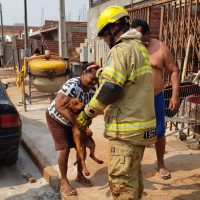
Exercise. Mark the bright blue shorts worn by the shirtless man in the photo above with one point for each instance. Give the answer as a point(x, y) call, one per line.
point(159, 104)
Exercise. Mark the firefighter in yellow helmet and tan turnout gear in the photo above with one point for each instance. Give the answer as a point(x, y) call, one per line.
point(126, 86)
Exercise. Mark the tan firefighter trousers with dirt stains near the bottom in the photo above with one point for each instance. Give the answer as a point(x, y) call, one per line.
point(124, 170)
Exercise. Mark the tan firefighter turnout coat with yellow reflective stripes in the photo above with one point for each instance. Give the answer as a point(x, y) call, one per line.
point(131, 117)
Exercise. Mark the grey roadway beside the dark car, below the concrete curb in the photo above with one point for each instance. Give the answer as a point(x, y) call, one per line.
point(13, 186)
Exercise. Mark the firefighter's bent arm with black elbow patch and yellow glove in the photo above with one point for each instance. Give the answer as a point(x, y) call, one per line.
point(113, 77)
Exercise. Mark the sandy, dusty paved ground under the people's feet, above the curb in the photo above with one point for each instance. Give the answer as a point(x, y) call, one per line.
point(182, 162)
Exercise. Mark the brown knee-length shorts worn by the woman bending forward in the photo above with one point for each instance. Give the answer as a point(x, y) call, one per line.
point(61, 133)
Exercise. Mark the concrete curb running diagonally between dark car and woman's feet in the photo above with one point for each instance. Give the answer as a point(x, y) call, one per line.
point(41, 162)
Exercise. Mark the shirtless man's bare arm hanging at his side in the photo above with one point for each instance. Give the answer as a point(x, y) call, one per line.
point(172, 69)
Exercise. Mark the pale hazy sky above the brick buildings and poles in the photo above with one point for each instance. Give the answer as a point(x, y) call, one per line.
point(39, 10)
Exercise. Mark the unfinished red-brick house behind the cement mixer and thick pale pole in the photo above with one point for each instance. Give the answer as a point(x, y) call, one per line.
point(47, 36)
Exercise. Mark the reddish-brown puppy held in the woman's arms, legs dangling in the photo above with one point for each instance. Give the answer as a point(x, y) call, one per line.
point(82, 138)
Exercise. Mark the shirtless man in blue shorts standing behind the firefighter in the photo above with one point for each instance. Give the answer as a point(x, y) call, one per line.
point(160, 58)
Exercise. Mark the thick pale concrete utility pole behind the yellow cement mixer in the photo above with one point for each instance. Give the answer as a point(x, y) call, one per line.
point(62, 30)
